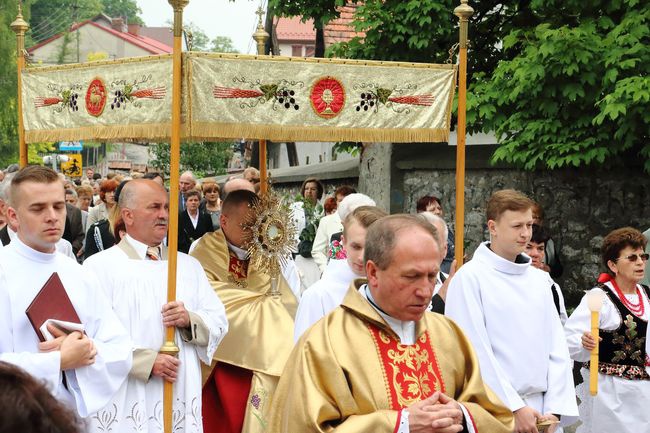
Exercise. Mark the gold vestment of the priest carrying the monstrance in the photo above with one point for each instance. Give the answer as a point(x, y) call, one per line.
point(260, 335)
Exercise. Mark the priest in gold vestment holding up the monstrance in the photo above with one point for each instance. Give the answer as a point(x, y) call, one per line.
point(250, 359)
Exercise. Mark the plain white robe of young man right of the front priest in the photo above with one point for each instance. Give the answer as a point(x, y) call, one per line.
point(507, 311)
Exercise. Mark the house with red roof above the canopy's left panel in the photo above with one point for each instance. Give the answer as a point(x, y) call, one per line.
point(108, 37)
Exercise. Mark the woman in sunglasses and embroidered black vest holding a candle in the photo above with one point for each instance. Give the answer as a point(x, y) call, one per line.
point(621, 404)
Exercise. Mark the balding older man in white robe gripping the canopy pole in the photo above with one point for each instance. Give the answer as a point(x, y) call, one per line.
point(133, 274)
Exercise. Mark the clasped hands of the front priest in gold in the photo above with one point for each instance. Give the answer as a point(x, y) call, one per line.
point(437, 414)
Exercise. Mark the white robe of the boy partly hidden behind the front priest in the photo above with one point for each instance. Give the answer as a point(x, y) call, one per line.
point(323, 296)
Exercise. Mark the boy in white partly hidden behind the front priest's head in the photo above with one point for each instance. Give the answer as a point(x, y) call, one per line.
point(328, 292)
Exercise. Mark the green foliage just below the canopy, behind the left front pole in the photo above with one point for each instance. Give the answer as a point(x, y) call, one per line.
point(204, 158)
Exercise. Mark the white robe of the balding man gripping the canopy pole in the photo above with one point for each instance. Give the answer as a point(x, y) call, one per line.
point(137, 290)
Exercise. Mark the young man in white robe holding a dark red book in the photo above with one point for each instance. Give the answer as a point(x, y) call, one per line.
point(84, 370)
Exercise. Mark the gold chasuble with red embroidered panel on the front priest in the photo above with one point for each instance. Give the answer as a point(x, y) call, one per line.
point(349, 373)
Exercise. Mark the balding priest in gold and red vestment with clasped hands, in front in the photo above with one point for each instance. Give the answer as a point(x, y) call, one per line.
point(380, 362)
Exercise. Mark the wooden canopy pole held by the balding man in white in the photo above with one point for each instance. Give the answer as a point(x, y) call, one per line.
point(170, 347)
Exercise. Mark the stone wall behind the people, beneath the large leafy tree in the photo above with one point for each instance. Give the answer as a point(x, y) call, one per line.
point(581, 207)
